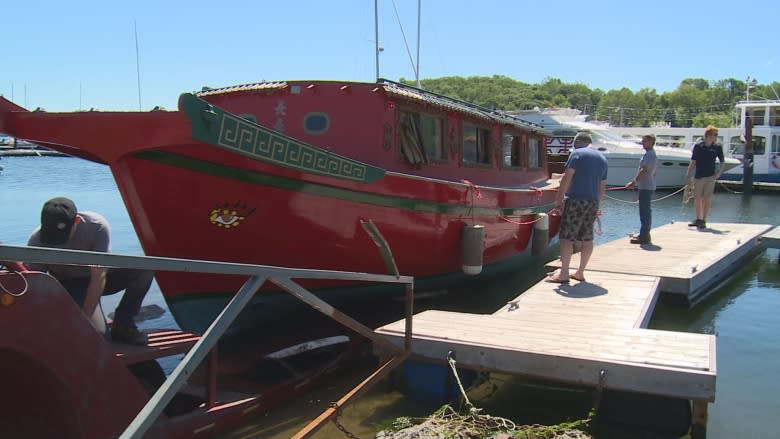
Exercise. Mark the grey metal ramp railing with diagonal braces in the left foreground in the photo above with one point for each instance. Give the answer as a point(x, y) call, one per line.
point(258, 275)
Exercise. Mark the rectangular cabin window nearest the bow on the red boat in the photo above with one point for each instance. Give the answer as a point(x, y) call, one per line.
point(421, 138)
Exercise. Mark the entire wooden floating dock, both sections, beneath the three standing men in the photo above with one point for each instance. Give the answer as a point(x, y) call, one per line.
point(595, 332)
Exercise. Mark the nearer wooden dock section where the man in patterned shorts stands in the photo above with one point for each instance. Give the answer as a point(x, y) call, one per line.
point(589, 333)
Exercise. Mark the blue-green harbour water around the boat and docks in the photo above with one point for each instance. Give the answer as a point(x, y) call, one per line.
point(743, 313)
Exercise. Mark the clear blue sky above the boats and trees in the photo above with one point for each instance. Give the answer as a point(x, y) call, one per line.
point(131, 55)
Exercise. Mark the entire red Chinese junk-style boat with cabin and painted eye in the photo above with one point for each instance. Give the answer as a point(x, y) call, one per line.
point(289, 173)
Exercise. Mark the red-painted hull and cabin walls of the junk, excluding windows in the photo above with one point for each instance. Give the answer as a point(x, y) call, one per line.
point(194, 199)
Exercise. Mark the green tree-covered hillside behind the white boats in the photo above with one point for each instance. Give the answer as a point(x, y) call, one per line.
point(696, 102)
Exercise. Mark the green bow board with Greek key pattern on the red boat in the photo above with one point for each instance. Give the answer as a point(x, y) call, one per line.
point(215, 126)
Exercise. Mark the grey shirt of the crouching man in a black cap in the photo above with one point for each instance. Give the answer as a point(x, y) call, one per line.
point(91, 234)
